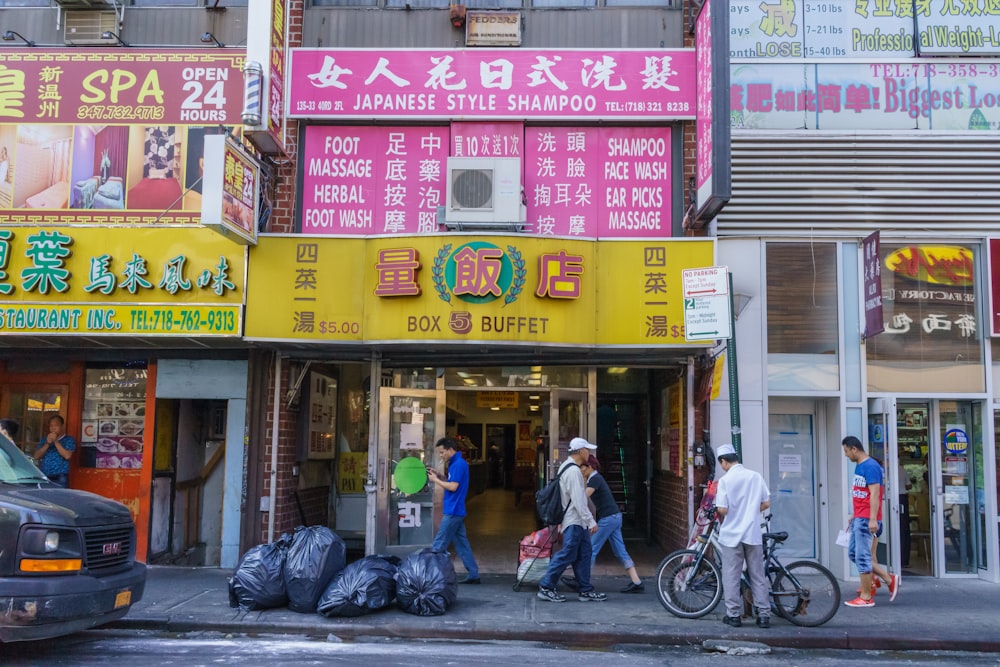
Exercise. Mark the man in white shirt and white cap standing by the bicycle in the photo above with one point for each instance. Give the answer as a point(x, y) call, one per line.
point(740, 498)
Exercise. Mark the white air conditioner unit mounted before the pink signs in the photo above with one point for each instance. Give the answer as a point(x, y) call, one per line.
point(484, 190)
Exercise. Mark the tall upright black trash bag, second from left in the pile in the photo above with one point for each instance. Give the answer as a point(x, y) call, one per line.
point(315, 557)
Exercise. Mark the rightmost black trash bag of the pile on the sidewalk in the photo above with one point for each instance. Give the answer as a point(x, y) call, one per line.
point(425, 583)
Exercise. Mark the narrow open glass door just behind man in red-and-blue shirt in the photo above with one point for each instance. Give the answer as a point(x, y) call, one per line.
point(885, 441)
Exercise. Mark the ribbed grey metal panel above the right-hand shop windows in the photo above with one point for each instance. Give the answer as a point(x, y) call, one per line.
point(837, 184)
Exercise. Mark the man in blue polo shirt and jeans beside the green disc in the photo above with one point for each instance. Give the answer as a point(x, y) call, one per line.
point(456, 487)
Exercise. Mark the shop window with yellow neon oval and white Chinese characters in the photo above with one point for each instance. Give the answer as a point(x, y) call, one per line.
point(933, 333)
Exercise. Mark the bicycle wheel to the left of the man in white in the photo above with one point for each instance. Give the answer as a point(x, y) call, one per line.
point(686, 586)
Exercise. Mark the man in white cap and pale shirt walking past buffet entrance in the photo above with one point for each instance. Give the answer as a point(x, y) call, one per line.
point(576, 527)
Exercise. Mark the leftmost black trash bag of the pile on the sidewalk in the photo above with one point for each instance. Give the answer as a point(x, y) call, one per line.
point(258, 580)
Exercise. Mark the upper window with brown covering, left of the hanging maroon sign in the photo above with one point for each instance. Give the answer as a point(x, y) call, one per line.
point(802, 324)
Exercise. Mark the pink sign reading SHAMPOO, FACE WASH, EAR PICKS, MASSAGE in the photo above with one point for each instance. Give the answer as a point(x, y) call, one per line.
point(598, 182)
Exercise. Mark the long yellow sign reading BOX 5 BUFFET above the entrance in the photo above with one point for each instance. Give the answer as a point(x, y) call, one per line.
point(470, 289)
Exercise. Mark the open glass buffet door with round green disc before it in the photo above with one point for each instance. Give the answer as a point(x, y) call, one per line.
point(410, 422)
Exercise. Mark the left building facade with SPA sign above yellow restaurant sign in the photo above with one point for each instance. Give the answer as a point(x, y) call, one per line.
point(120, 312)
